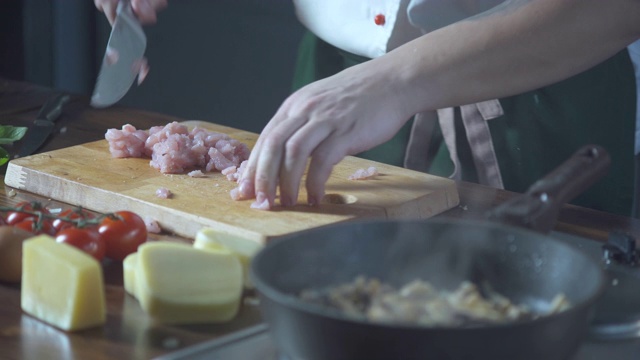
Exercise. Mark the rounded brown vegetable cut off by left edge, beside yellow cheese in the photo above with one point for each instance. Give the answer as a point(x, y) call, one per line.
point(11, 239)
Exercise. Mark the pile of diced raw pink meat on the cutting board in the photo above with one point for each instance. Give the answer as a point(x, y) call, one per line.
point(175, 149)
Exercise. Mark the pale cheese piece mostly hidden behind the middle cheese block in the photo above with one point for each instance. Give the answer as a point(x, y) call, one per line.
point(245, 249)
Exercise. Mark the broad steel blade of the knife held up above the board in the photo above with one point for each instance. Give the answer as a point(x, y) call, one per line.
point(122, 59)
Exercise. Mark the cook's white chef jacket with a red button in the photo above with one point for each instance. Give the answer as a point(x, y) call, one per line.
point(351, 25)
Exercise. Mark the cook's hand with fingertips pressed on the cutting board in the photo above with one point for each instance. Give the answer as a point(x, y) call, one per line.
point(345, 114)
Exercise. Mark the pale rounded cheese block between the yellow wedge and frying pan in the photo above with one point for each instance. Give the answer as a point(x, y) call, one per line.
point(178, 284)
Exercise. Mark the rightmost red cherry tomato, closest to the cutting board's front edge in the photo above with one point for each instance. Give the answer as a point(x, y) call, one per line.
point(122, 234)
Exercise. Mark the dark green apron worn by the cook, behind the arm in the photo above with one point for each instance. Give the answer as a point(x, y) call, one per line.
point(538, 131)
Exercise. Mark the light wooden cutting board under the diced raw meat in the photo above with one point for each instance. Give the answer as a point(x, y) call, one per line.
point(86, 175)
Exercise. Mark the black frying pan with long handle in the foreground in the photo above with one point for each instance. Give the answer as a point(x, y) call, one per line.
point(528, 267)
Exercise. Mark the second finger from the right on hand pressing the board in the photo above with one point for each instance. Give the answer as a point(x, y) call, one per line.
point(298, 149)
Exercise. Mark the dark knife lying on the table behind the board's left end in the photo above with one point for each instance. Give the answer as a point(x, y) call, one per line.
point(43, 125)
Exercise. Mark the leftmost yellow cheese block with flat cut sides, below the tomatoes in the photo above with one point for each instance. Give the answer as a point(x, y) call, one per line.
point(61, 285)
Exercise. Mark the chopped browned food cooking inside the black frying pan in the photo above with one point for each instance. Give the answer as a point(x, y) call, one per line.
point(420, 303)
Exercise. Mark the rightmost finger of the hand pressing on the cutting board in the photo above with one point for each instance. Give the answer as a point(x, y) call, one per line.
point(323, 158)
